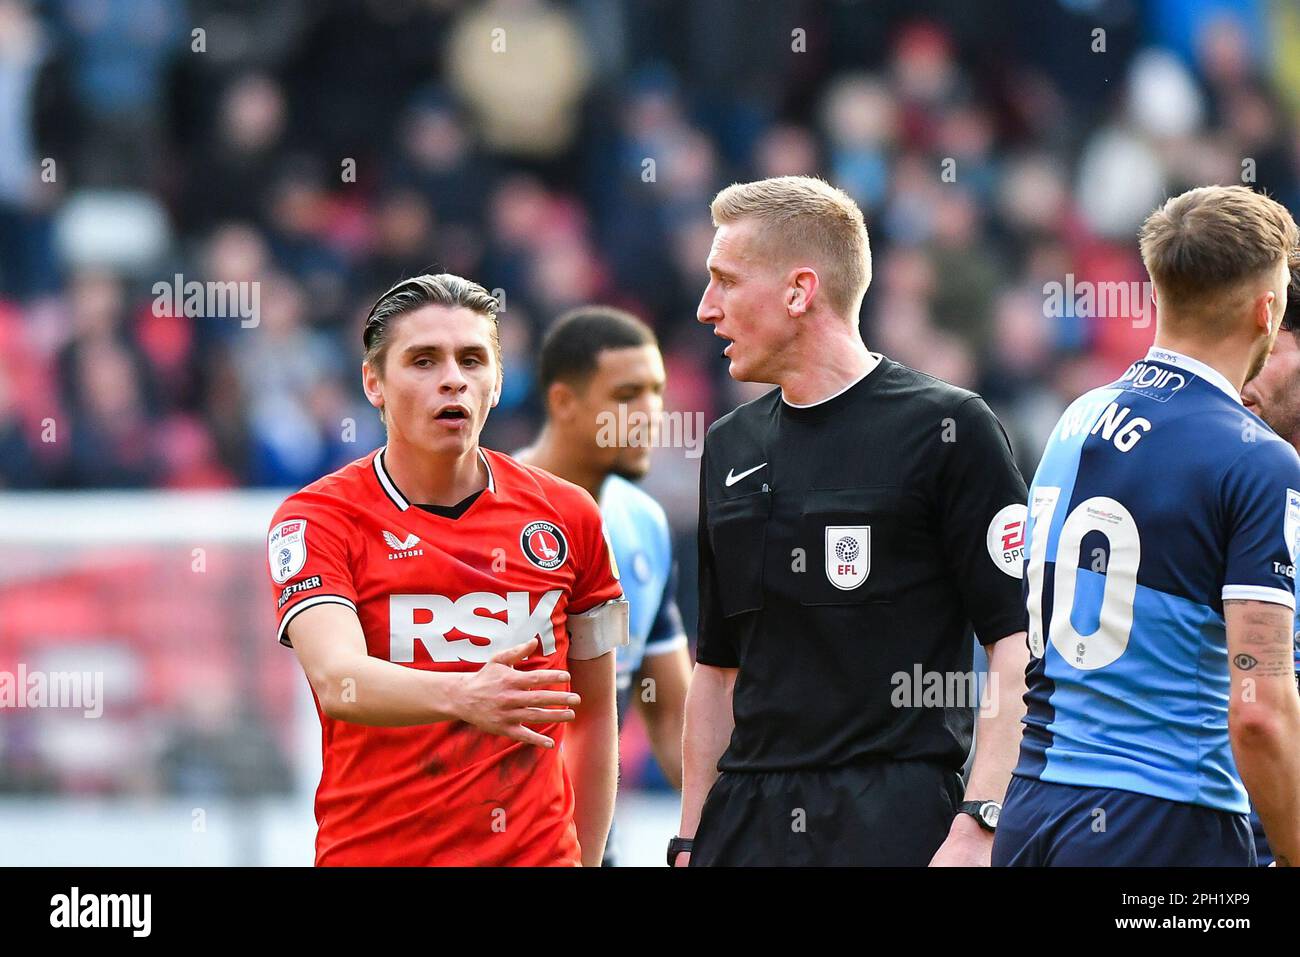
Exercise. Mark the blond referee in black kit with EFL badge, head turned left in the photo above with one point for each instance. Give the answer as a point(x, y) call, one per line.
point(855, 525)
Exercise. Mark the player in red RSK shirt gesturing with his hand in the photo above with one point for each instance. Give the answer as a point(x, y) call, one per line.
point(456, 613)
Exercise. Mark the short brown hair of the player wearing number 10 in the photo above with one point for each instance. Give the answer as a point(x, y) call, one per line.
point(1204, 246)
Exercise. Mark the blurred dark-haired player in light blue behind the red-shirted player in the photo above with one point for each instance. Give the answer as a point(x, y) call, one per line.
point(603, 379)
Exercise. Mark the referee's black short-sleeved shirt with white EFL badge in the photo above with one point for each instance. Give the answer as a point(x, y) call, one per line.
point(924, 465)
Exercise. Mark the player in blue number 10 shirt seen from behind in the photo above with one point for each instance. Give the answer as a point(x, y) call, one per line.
point(1163, 538)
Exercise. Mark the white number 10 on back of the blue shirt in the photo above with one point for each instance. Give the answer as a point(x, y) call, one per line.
point(1120, 582)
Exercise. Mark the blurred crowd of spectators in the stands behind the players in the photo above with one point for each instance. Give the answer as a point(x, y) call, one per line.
point(564, 154)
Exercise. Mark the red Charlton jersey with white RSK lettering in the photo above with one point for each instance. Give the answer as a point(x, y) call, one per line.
point(444, 595)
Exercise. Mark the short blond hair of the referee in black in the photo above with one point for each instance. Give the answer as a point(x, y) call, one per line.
point(805, 216)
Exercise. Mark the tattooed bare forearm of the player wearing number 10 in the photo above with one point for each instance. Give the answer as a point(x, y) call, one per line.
point(1264, 718)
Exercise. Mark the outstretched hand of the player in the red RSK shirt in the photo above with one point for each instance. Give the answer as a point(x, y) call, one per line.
point(501, 700)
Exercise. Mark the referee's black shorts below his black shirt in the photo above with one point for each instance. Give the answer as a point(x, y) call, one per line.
point(874, 813)
